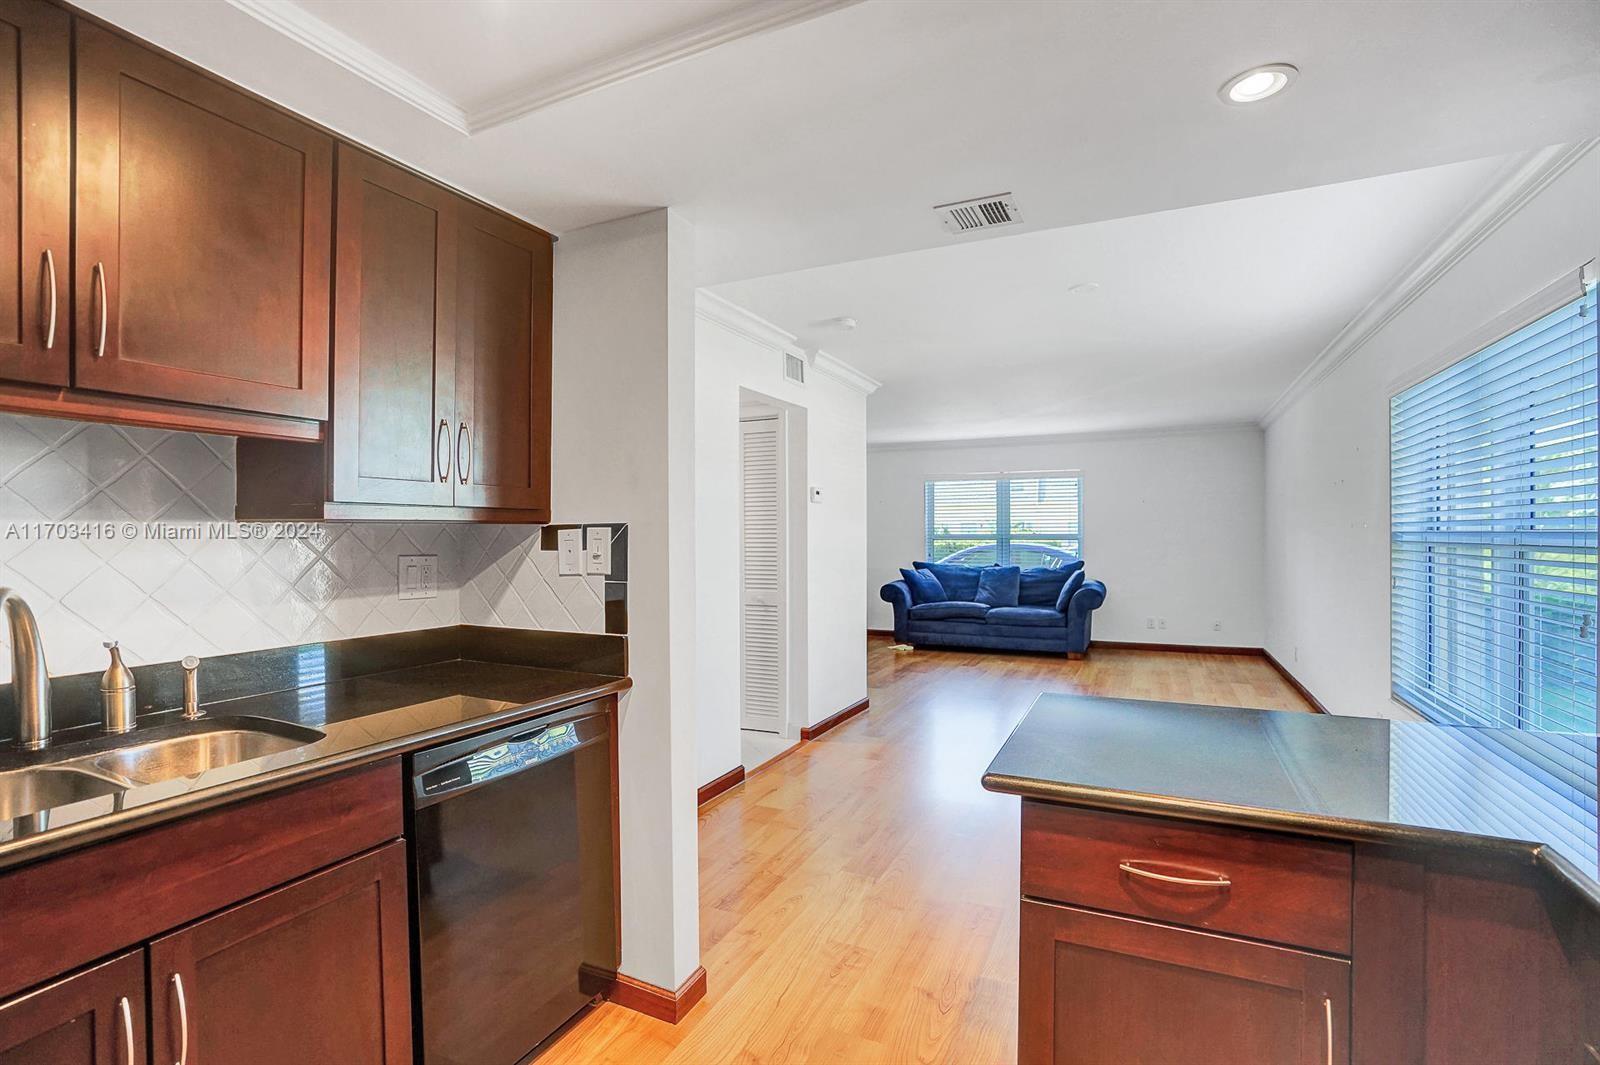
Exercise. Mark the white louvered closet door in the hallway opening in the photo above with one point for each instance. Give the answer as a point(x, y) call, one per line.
point(762, 568)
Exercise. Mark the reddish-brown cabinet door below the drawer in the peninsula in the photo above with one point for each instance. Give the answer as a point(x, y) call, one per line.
point(1106, 989)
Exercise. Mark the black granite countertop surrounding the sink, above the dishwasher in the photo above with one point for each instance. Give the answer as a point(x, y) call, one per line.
point(361, 719)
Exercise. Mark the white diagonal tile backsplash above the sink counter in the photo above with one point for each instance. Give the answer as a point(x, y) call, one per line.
point(220, 591)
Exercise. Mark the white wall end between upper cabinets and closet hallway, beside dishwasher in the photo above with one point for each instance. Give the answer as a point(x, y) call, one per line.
point(623, 452)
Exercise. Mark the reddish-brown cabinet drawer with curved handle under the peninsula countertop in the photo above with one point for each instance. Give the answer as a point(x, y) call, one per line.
point(1230, 880)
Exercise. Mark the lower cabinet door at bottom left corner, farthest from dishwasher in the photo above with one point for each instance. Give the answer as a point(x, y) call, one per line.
point(95, 1018)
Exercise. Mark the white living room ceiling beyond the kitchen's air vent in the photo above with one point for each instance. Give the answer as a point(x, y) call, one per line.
point(1202, 316)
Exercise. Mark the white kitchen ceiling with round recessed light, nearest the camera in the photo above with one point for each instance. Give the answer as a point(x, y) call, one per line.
point(820, 132)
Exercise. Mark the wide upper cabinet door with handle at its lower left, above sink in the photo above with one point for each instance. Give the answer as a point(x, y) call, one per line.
point(204, 223)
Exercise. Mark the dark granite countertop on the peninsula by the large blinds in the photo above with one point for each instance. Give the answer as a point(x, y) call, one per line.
point(1527, 794)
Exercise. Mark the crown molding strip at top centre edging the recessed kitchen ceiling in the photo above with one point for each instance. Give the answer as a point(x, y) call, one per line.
point(751, 22)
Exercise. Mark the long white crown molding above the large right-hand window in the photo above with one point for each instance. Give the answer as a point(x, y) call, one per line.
point(1521, 185)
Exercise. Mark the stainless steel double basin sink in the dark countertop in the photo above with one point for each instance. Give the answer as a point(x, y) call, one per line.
point(111, 765)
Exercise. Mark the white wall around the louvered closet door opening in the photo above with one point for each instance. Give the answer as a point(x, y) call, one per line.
point(735, 354)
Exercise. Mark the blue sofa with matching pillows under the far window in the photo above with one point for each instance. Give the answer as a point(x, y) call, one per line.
point(1049, 610)
